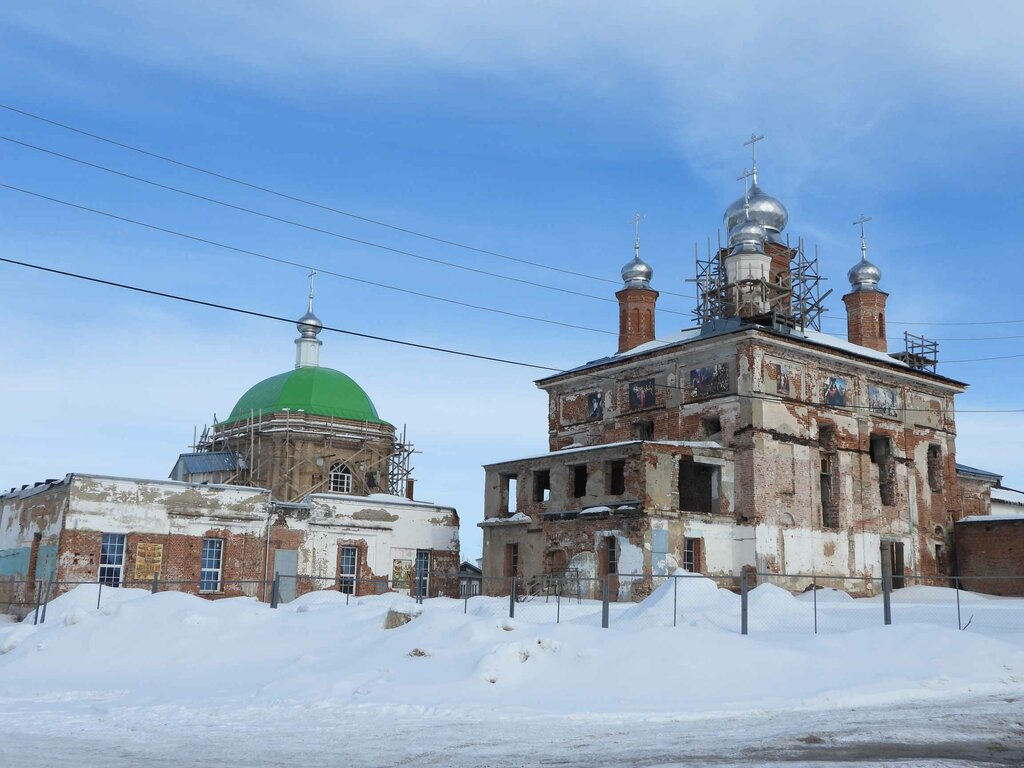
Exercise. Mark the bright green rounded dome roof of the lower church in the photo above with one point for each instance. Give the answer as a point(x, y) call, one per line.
point(322, 392)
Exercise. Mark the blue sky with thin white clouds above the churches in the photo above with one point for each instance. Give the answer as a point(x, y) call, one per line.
point(536, 133)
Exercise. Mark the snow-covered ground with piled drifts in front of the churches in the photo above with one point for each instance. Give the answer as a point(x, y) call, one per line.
point(175, 678)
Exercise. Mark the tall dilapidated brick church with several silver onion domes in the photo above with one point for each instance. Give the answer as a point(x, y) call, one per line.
point(752, 443)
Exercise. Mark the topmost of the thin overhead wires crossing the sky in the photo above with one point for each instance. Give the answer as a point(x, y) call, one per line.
point(305, 201)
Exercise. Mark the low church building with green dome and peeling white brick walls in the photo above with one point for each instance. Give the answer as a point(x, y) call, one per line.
point(303, 480)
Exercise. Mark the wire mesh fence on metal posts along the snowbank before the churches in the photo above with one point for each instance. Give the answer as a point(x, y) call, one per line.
point(750, 605)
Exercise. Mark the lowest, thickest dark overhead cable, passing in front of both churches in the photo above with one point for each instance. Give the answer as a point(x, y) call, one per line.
point(447, 351)
